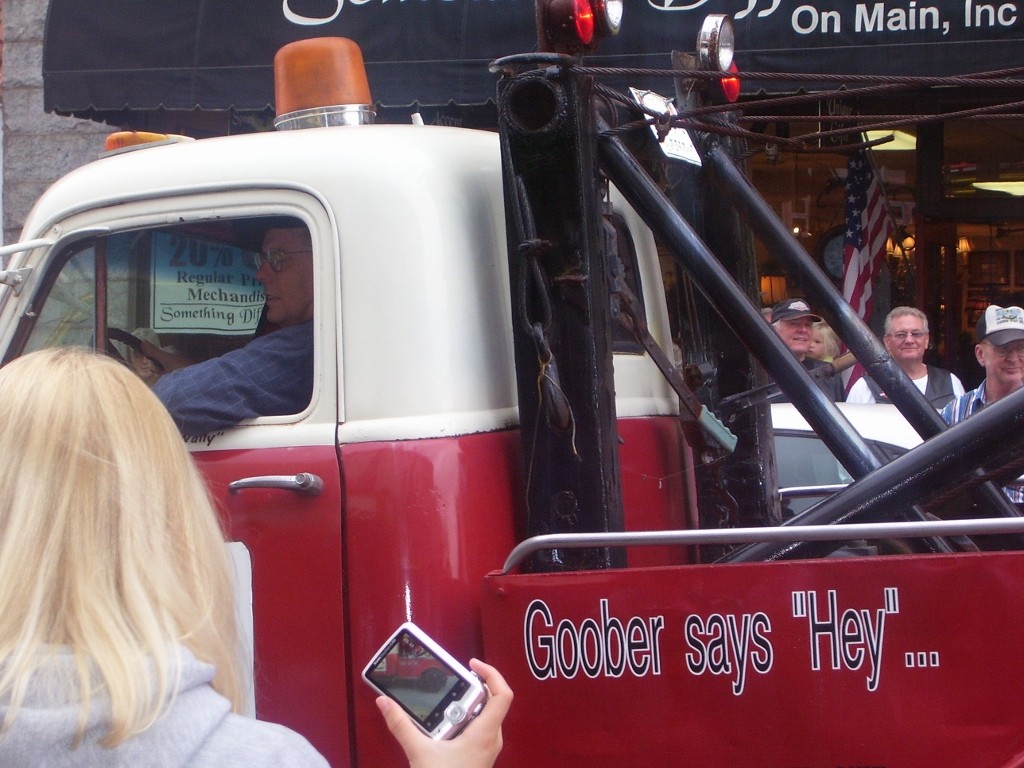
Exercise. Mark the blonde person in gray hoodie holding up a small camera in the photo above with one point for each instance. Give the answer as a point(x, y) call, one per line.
point(118, 644)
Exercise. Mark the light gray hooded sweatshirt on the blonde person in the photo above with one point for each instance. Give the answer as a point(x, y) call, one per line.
point(199, 731)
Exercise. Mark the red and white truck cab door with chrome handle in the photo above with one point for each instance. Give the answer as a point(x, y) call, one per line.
point(190, 287)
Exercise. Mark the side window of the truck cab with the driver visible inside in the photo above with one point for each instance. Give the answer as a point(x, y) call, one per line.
point(195, 295)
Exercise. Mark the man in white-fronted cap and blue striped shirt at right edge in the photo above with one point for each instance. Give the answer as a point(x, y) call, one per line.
point(1001, 352)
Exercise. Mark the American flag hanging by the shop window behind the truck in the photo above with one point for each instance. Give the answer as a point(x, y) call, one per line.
point(868, 228)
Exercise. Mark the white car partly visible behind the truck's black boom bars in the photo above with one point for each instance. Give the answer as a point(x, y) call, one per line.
point(808, 472)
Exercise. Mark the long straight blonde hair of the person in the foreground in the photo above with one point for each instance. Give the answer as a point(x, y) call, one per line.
point(110, 546)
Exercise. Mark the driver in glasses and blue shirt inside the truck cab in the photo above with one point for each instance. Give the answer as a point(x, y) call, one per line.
point(273, 374)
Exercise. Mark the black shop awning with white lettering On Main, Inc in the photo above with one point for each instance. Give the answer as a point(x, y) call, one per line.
point(112, 60)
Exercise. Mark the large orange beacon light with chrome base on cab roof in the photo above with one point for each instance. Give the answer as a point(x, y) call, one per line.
point(321, 82)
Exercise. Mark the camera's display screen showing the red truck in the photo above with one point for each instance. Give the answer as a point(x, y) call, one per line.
point(418, 680)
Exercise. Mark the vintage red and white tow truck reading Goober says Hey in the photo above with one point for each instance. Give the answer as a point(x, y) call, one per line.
point(500, 447)
